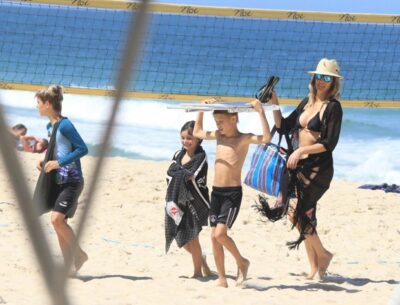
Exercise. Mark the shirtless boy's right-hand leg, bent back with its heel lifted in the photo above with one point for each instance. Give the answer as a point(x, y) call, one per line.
point(221, 235)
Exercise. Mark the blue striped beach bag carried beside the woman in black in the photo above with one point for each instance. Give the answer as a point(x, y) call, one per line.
point(268, 168)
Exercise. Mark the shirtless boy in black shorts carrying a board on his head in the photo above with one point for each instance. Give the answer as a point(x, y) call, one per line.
point(226, 196)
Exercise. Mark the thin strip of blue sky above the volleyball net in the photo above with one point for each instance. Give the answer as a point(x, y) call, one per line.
point(354, 6)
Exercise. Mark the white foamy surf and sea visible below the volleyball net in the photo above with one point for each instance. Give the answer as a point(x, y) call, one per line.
point(368, 150)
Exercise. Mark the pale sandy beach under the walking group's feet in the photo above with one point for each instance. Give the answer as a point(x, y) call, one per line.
point(127, 264)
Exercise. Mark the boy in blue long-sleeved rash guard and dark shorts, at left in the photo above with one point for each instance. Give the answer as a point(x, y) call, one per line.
point(69, 148)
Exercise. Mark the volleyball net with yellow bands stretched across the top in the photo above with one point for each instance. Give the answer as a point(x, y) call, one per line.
point(192, 52)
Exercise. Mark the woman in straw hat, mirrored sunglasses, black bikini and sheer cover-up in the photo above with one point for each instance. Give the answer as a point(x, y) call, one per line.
point(314, 128)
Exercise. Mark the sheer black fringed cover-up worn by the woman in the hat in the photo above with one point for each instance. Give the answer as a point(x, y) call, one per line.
point(311, 179)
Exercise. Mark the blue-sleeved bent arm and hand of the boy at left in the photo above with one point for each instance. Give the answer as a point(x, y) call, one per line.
point(79, 148)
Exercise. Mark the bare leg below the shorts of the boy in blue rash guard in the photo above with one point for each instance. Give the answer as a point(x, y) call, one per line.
point(66, 238)
